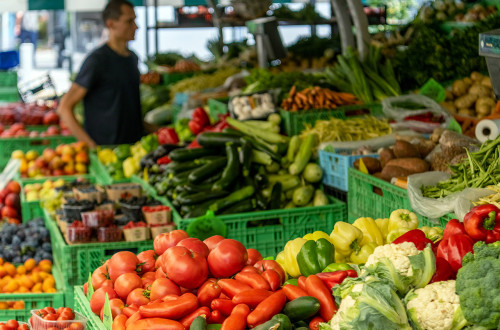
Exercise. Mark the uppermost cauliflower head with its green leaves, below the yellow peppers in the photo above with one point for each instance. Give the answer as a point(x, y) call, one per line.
point(403, 265)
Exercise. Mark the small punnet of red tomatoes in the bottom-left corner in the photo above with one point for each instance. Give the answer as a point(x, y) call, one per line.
point(55, 319)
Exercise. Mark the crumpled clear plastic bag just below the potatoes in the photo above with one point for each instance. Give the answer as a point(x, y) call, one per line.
point(398, 109)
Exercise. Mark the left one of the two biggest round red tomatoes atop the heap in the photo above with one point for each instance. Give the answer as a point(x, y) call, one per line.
point(187, 269)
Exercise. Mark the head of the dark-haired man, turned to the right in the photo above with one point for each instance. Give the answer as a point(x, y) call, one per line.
point(119, 18)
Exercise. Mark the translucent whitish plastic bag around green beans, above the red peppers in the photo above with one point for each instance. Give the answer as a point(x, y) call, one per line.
point(459, 203)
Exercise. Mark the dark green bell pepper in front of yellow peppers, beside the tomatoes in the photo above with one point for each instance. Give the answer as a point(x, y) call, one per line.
point(314, 256)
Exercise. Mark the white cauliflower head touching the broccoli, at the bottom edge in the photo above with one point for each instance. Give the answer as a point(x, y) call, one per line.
point(435, 307)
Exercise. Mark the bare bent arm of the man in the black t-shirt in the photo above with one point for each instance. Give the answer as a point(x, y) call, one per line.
point(66, 111)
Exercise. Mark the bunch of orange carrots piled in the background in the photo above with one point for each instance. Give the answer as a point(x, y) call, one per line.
point(316, 98)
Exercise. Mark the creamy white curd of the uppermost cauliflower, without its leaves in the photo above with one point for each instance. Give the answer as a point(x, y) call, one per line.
point(398, 254)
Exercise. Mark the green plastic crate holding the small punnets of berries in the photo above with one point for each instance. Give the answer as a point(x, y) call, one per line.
point(77, 261)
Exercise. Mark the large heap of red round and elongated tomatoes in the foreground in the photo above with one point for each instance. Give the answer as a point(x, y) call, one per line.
point(217, 279)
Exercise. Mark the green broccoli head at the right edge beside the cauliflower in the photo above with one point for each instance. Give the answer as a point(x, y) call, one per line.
point(478, 285)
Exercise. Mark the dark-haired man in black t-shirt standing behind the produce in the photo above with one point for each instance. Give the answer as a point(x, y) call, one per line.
point(108, 84)
